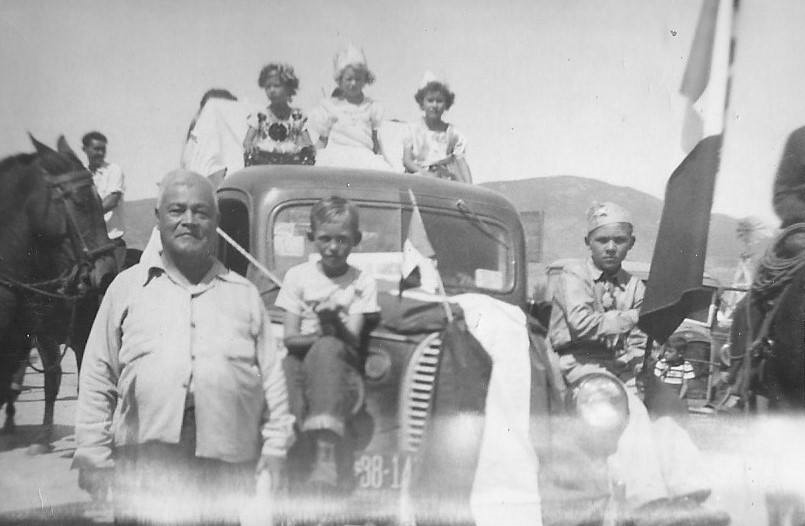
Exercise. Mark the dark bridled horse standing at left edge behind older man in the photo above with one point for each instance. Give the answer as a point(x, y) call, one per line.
point(55, 257)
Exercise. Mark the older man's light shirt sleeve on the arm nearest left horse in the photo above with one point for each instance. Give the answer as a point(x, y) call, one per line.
point(97, 397)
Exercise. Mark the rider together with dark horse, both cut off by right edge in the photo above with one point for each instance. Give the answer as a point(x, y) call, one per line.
point(767, 356)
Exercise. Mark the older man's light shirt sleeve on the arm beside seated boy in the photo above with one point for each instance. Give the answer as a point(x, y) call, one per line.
point(277, 428)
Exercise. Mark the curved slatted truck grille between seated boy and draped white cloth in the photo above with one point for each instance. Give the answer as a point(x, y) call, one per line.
point(416, 393)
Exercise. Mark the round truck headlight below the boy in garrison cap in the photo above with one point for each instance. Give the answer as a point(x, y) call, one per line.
point(601, 403)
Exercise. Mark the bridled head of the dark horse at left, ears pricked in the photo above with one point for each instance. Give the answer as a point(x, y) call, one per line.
point(67, 214)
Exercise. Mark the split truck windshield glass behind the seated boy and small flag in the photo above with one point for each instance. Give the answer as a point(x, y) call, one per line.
point(470, 254)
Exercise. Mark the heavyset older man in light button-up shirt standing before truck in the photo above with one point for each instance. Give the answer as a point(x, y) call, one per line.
point(181, 390)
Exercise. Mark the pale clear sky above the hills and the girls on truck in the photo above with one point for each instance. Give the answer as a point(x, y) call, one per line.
point(543, 87)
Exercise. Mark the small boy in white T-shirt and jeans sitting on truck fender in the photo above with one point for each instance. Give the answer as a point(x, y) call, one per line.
point(325, 302)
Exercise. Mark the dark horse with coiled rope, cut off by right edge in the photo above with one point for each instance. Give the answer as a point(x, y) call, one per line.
point(767, 353)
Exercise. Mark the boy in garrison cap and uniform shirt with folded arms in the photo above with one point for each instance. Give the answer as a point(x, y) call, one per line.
point(596, 303)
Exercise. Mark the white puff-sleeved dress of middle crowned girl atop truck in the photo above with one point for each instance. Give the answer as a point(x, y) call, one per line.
point(348, 128)
